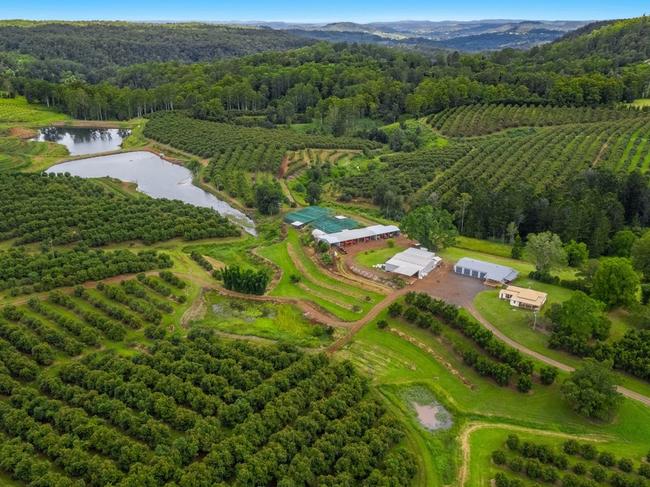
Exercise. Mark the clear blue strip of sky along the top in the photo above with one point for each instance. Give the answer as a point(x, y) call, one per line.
point(321, 11)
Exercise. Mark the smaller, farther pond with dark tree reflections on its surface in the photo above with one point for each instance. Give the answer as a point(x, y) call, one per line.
point(83, 140)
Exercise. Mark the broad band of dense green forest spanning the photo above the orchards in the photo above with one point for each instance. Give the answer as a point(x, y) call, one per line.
point(347, 82)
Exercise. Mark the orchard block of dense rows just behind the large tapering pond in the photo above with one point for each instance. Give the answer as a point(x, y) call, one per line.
point(238, 147)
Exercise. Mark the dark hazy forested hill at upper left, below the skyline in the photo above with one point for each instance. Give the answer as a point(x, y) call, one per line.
point(94, 49)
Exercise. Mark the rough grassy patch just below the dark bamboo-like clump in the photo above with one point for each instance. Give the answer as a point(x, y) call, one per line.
point(267, 320)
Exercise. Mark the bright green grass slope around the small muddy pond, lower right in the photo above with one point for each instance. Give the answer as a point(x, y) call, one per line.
point(392, 362)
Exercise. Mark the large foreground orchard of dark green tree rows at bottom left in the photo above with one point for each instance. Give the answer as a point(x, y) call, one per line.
point(195, 411)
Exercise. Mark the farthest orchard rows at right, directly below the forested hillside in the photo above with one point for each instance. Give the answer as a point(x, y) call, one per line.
point(473, 120)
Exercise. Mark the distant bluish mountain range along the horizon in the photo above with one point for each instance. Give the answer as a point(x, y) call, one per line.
point(476, 35)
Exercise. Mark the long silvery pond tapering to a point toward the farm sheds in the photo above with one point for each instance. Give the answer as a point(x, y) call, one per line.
point(155, 177)
